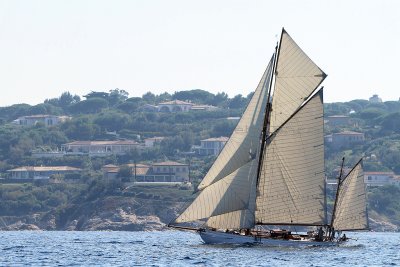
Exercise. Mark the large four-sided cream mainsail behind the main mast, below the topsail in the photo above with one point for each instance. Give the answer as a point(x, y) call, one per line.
point(291, 183)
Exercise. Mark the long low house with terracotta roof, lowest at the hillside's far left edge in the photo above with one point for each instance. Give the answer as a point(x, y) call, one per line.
point(41, 172)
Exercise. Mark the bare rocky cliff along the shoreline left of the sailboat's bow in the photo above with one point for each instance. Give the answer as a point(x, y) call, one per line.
point(109, 213)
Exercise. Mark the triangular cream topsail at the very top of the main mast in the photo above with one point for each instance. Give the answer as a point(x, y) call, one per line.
point(296, 77)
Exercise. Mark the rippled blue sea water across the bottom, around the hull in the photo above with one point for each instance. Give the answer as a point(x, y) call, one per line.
point(177, 248)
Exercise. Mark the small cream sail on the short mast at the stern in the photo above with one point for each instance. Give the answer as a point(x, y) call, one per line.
point(351, 213)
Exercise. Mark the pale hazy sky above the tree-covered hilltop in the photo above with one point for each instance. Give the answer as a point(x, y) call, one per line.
point(49, 47)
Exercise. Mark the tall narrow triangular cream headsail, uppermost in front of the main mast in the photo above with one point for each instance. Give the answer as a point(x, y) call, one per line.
point(245, 139)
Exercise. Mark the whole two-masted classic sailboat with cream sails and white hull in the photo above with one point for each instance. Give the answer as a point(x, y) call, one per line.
point(271, 173)
